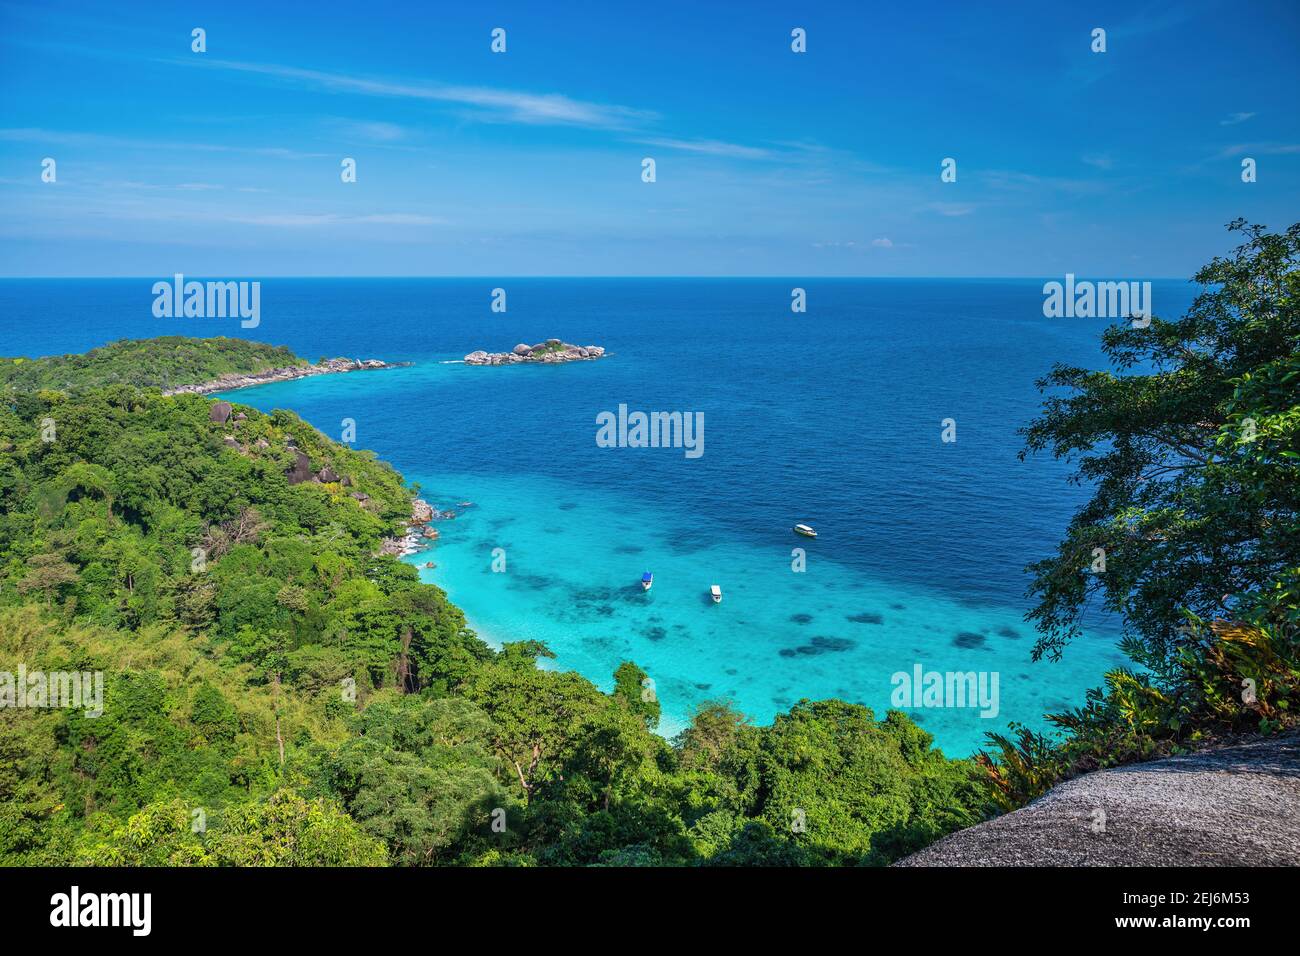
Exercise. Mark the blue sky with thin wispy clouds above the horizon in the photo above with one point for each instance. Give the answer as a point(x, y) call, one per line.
point(769, 163)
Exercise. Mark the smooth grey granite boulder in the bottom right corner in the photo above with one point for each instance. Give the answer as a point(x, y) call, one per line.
point(1227, 807)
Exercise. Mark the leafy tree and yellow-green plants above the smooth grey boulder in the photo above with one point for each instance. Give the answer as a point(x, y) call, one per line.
point(1193, 445)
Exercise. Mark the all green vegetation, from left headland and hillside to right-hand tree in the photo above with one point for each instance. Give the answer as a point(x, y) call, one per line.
point(279, 693)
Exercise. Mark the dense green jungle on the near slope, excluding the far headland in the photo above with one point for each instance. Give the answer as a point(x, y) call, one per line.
point(278, 693)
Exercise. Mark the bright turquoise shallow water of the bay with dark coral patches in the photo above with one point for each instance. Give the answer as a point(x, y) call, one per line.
point(574, 560)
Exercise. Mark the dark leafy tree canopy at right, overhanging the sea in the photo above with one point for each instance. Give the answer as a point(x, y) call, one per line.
point(1191, 445)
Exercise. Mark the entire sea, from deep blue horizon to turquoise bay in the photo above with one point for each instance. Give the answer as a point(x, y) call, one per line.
point(831, 418)
